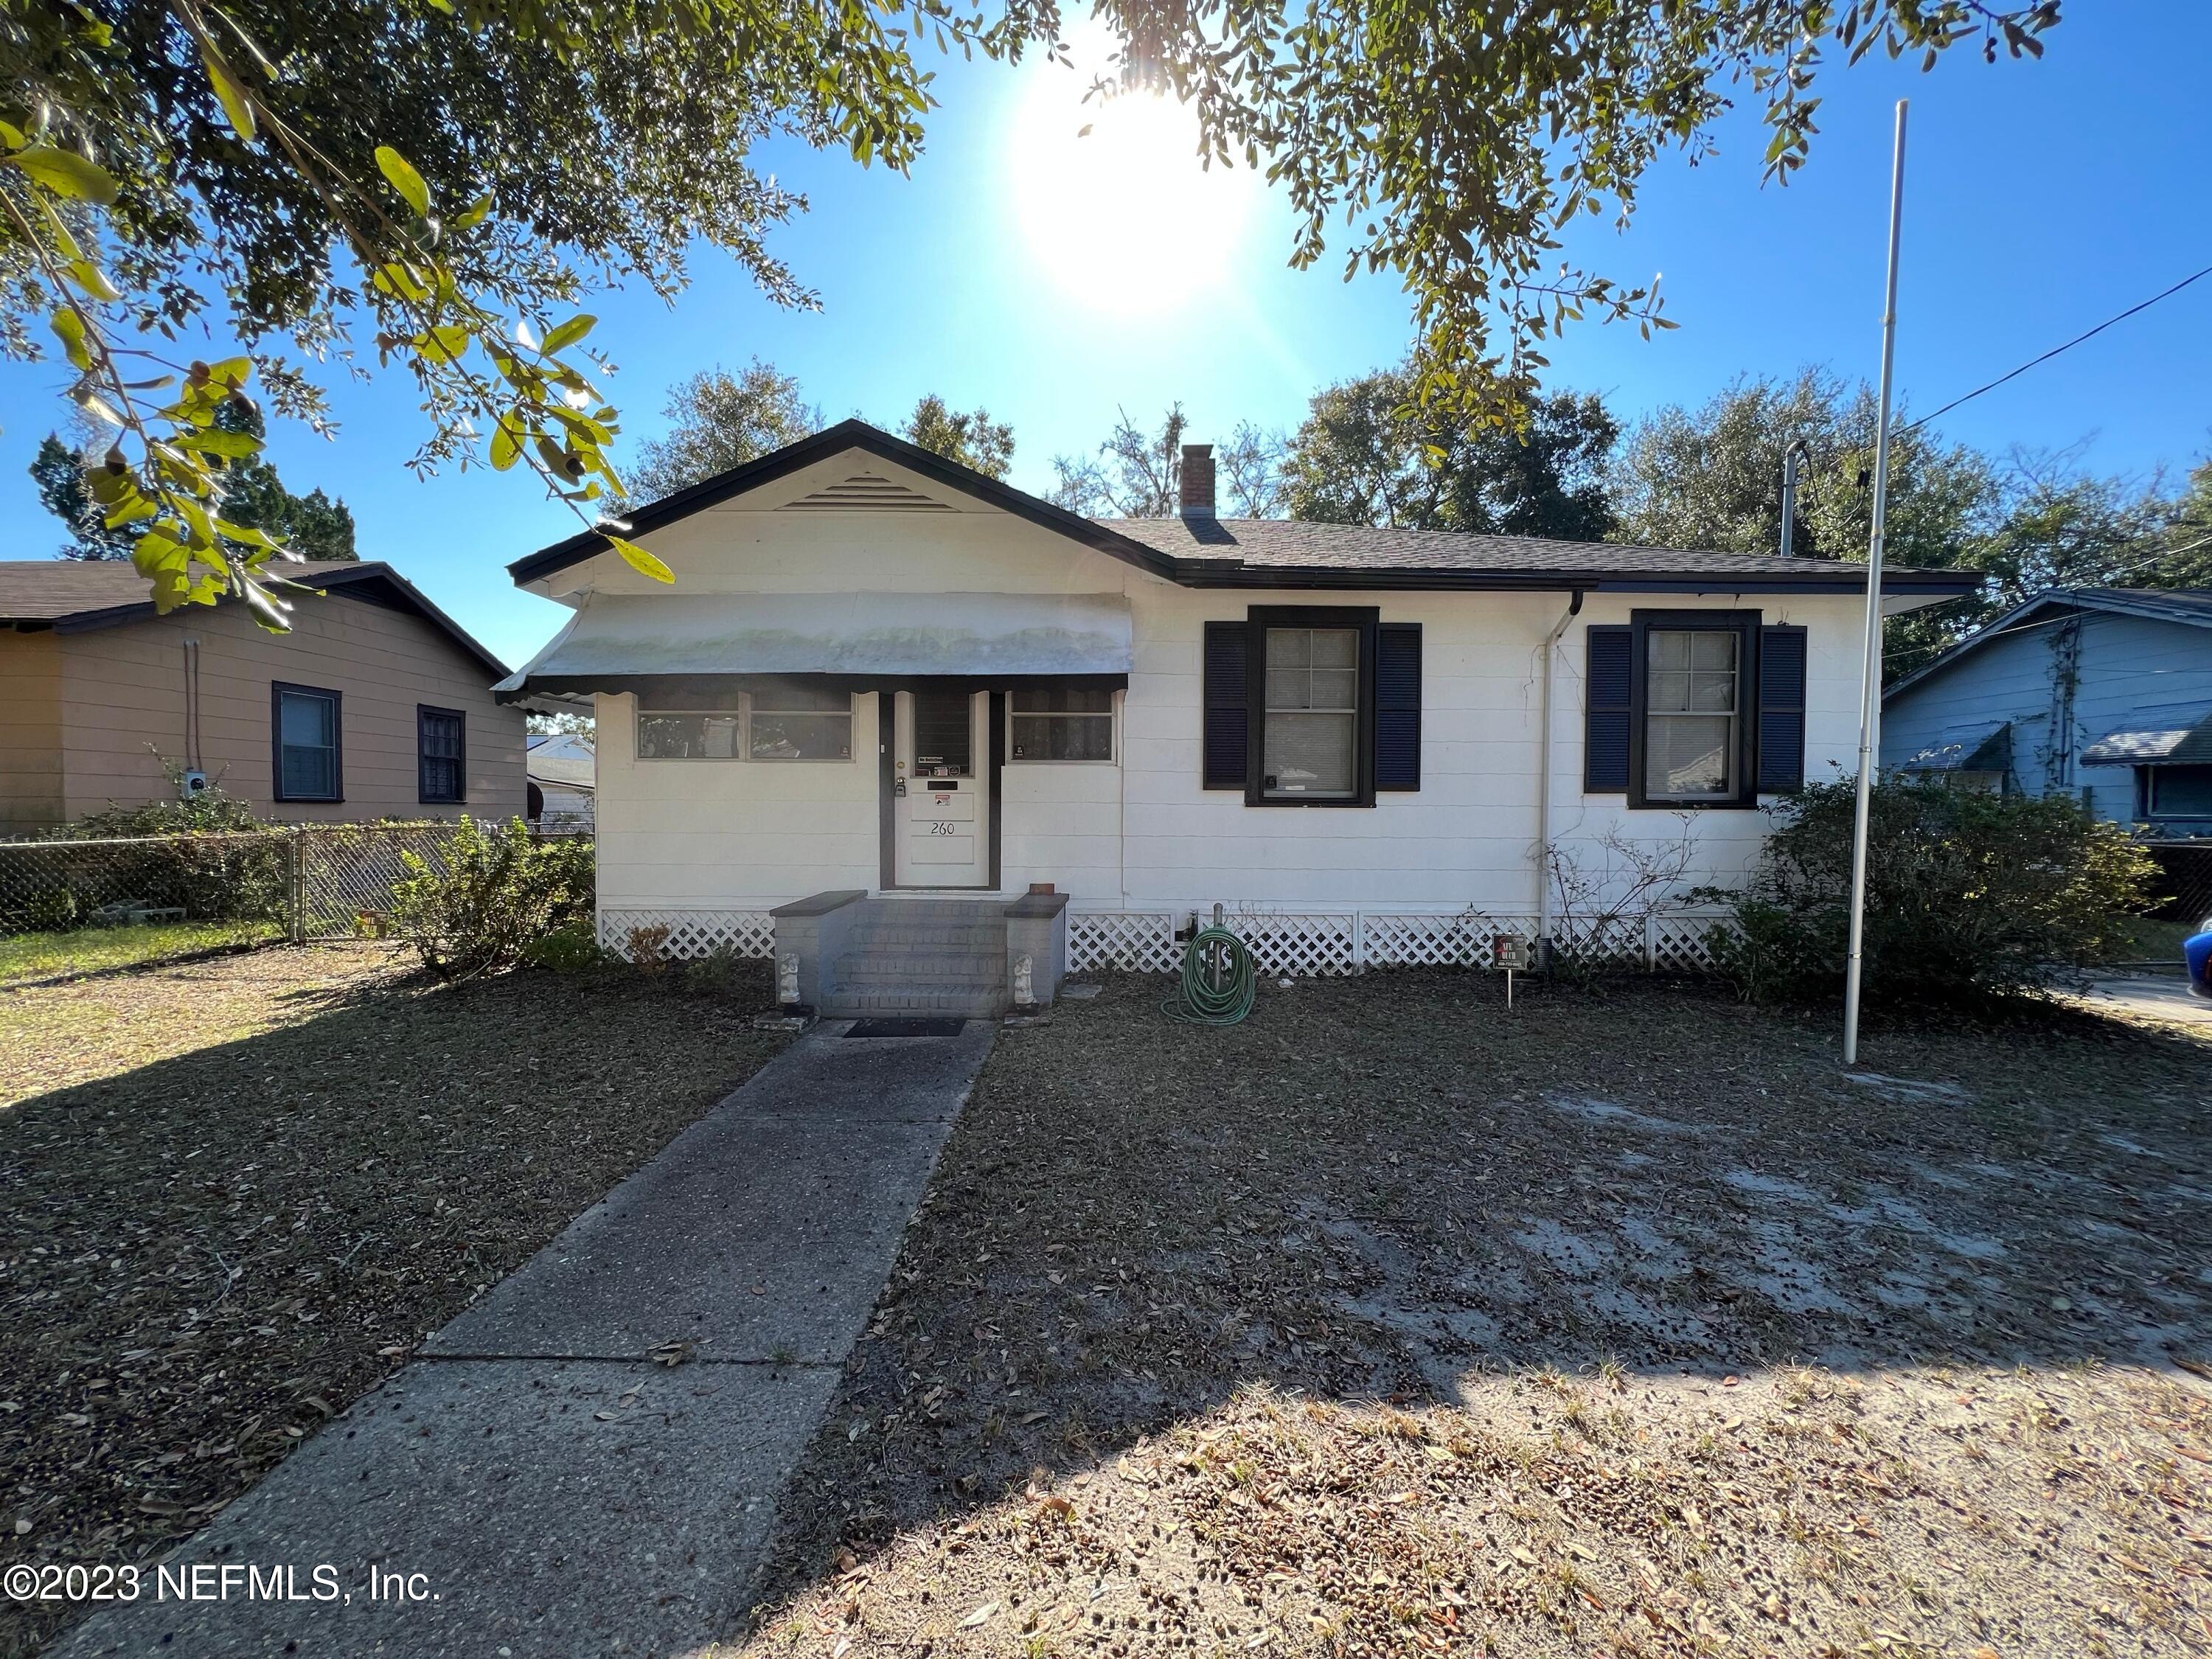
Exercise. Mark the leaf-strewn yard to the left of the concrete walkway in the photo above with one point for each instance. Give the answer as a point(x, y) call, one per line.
point(236, 1196)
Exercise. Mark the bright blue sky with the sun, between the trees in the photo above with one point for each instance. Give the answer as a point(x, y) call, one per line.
point(2041, 200)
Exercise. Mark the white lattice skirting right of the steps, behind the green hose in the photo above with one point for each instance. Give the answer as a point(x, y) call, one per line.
point(1315, 943)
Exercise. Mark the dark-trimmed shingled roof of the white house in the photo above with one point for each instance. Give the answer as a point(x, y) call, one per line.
point(1271, 552)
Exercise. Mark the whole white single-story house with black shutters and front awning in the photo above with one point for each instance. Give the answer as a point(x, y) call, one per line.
point(884, 674)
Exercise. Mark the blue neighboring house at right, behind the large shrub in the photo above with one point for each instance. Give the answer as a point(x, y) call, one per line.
point(2094, 691)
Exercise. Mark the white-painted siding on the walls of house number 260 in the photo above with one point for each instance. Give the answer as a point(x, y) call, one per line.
point(1142, 833)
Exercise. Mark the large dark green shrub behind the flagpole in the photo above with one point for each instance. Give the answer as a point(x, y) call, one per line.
point(1970, 897)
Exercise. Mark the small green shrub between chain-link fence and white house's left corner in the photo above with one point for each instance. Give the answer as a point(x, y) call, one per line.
point(492, 895)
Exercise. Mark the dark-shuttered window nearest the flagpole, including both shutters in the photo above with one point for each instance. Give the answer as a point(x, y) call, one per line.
point(1695, 709)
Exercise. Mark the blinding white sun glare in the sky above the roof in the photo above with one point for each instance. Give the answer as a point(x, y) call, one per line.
point(1123, 216)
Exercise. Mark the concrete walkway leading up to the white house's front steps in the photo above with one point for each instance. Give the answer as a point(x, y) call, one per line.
point(536, 1479)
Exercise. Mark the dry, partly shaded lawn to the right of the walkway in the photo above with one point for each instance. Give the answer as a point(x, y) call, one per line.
point(1392, 1324)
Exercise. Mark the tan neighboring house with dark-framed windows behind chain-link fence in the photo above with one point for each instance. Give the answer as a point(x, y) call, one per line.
point(375, 707)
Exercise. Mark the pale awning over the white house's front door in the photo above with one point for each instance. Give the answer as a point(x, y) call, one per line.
point(623, 640)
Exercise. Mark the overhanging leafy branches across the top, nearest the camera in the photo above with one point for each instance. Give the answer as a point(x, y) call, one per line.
point(446, 182)
